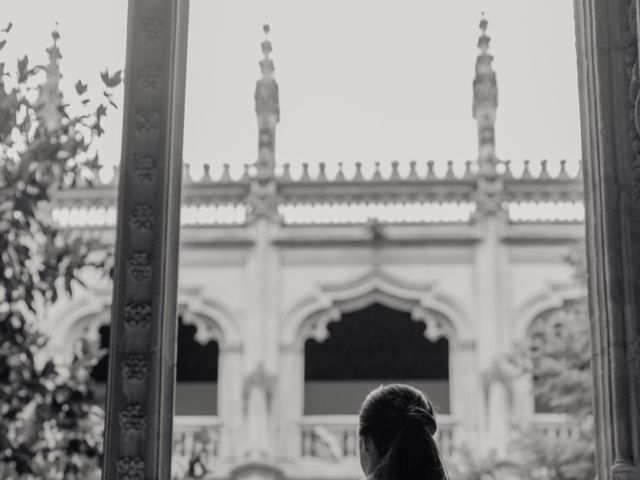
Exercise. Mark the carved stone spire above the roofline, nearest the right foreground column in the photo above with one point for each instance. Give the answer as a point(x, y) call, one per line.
point(485, 103)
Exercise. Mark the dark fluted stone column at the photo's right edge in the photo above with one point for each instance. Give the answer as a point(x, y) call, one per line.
point(607, 42)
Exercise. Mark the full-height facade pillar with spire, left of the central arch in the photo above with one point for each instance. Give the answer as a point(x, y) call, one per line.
point(262, 288)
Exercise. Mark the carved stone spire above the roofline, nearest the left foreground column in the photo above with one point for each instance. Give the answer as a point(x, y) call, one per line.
point(267, 112)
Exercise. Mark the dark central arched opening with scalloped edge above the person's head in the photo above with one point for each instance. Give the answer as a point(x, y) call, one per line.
point(367, 347)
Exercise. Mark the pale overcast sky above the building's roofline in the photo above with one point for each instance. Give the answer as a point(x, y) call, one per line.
point(360, 80)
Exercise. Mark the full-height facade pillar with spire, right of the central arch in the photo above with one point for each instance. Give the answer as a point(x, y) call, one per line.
point(490, 255)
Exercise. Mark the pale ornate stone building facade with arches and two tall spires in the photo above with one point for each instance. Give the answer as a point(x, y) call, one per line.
point(299, 294)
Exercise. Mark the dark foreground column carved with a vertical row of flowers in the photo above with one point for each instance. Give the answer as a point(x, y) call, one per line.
point(143, 323)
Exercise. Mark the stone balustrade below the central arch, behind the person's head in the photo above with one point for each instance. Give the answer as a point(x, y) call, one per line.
point(334, 438)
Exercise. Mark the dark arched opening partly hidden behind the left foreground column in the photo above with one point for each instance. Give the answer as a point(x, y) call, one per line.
point(196, 372)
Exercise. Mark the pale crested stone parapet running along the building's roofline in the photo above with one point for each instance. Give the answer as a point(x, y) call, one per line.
point(416, 194)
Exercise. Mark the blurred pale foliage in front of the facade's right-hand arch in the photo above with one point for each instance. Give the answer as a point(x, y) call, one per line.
point(558, 358)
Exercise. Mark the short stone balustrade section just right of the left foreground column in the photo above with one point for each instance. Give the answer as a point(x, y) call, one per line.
point(196, 445)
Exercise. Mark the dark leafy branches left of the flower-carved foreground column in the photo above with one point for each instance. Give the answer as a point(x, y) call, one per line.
point(51, 426)
